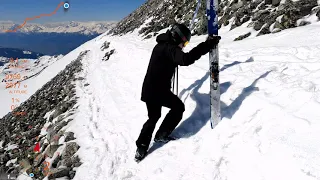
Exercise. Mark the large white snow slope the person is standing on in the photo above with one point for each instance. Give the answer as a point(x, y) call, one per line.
point(270, 125)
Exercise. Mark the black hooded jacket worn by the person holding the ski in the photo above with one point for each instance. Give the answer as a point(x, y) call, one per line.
point(166, 56)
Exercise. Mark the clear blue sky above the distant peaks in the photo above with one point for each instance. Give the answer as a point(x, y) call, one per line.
point(80, 10)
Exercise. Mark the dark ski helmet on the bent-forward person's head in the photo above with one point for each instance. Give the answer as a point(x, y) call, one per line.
point(181, 34)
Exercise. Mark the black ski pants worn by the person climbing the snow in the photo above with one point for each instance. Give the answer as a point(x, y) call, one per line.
point(169, 123)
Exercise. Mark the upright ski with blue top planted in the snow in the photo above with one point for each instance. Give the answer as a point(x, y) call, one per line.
point(212, 9)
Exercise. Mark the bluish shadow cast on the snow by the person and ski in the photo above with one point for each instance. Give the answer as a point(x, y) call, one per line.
point(201, 115)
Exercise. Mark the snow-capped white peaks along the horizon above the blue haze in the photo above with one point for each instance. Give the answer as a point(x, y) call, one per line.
point(94, 27)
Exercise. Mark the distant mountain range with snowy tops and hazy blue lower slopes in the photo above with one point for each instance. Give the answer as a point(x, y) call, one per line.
point(52, 38)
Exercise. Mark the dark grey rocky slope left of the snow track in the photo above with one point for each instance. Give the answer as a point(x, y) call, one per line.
point(20, 129)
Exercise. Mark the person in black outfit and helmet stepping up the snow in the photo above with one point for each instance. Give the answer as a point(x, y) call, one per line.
point(156, 90)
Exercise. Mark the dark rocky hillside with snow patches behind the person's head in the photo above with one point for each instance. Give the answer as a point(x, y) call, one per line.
point(259, 15)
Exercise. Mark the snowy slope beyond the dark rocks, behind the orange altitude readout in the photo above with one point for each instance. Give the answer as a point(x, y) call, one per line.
point(30, 70)
